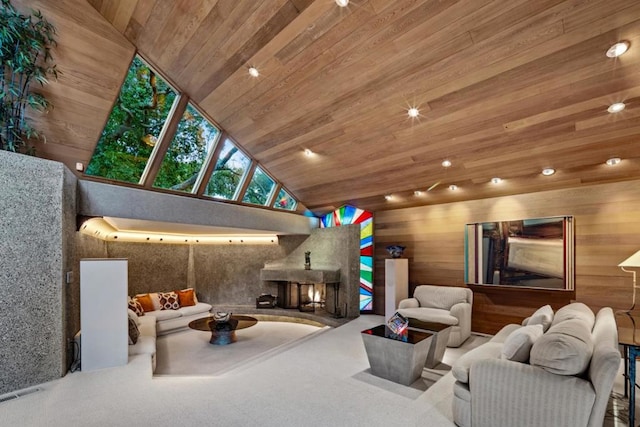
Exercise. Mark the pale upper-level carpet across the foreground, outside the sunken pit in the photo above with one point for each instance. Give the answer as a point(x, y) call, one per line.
point(319, 381)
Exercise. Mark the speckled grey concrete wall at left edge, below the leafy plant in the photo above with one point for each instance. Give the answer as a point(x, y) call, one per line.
point(35, 202)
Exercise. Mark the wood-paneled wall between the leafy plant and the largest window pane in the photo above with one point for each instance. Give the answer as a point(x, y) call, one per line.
point(92, 58)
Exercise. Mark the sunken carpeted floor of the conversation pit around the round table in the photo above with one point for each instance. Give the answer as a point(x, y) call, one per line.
point(189, 352)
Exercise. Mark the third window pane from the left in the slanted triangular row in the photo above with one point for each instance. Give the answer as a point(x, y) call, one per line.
point(231, 166)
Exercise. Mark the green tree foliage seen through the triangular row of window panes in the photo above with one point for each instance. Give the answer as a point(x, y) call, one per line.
point(134, 125)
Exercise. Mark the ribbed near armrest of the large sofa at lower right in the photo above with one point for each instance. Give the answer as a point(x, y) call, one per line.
point(506, 393)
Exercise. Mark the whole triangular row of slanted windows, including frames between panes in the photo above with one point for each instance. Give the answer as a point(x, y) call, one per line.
point(157, 137)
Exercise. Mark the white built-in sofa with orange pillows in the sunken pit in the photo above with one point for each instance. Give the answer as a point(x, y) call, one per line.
point(160, 322)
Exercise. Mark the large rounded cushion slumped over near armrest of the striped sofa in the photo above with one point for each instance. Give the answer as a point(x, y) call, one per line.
point(565, 349)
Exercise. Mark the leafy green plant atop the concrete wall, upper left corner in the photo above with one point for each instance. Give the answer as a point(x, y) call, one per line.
point(25, 57)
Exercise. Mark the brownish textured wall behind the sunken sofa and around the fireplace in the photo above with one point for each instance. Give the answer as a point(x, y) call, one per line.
point(230, 274)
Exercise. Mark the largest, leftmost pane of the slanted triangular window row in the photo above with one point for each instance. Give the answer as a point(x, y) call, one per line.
point(134, 125)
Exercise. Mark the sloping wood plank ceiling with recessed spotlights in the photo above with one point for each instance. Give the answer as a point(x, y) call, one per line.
point(504, 89)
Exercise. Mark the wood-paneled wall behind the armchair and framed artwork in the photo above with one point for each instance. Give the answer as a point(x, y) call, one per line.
point(607, 231)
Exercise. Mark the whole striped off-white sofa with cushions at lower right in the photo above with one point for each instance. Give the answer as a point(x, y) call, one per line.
point(553, 370)
